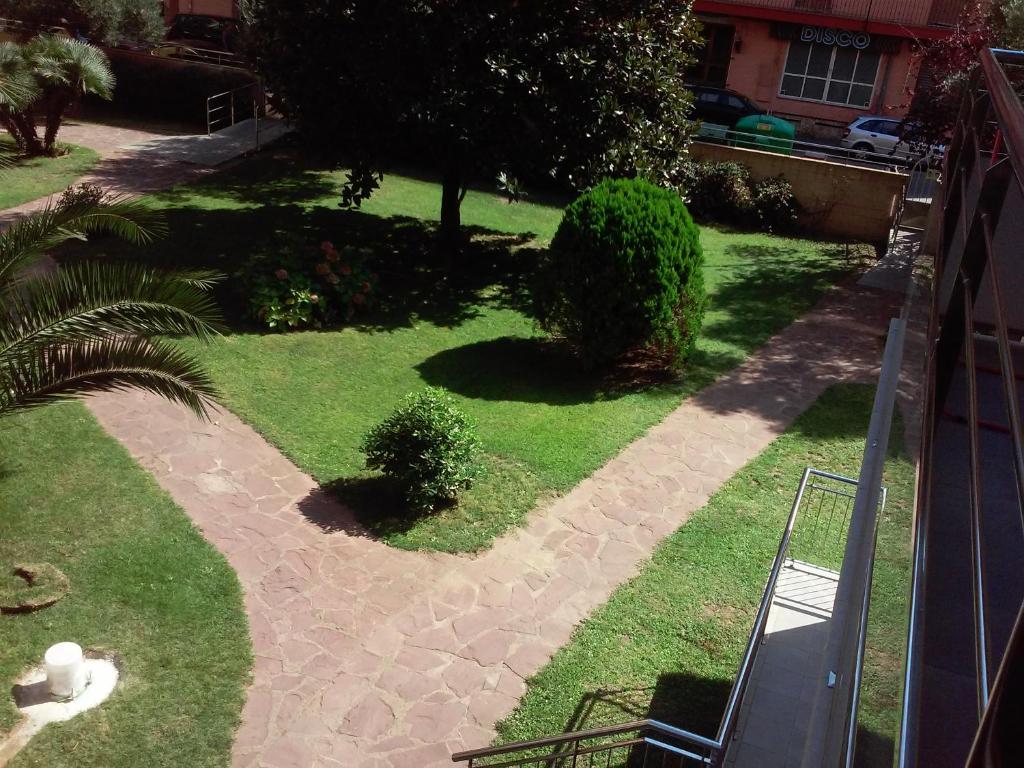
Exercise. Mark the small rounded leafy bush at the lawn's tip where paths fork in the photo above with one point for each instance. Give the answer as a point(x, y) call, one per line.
point(430, 447)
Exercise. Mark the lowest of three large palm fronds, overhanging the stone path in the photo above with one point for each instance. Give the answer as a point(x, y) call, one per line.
point(115, 364)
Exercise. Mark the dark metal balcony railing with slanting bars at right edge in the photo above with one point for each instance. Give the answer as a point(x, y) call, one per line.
point(984, 181)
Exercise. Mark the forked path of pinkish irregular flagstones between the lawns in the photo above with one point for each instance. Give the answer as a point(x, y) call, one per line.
point(374, 658)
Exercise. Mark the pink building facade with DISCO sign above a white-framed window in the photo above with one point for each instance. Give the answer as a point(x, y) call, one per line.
point(820, 64)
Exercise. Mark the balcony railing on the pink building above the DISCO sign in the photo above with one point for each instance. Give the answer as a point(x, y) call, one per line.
point(908, 13)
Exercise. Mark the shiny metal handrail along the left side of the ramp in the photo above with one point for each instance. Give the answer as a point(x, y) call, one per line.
point(652, 743)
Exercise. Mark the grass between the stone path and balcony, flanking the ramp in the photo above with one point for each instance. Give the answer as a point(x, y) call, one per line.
point(668, 644)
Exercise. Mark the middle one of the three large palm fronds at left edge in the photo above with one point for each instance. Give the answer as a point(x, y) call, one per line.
point(88, 302)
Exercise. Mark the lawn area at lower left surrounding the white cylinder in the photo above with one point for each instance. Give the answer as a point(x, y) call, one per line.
point(144, 585)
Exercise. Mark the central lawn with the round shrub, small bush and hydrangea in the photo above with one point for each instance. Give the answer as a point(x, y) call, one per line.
point(459, 322)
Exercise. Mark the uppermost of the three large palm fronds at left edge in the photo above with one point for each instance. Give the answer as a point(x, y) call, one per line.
point(29, 238)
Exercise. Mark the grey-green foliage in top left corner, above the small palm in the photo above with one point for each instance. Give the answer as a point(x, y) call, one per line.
point(106, 22)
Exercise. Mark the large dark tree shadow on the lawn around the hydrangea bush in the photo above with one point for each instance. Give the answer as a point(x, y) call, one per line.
point(418, 280)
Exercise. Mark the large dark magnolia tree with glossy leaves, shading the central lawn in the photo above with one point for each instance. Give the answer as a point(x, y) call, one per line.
point(576, 91)
